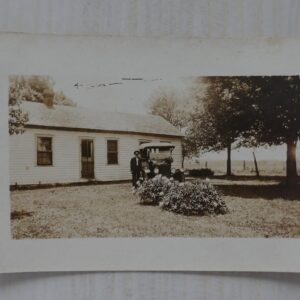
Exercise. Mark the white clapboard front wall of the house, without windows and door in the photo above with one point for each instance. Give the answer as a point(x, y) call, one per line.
point(66, 166)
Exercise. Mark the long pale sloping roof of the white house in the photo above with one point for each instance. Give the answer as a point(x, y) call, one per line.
point(78, 118)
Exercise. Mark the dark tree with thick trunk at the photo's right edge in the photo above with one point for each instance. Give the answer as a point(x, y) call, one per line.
point(277, 102)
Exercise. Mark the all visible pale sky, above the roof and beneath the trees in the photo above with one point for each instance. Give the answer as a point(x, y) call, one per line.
point(132, 95)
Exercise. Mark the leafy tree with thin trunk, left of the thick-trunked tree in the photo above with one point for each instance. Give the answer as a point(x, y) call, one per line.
point(221, 118)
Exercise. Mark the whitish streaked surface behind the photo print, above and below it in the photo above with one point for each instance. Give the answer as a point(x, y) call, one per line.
point(227, 18)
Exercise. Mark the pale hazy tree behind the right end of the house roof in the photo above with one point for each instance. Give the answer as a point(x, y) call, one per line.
point(168, 105)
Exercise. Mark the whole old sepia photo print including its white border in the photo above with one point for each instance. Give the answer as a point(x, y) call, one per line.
point(149, 154)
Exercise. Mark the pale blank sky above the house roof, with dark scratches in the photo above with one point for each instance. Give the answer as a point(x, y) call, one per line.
point(129, 96)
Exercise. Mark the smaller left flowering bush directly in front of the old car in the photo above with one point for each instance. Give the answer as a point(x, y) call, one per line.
point(151, 191)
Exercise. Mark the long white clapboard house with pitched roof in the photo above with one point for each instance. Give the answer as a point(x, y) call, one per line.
point(63, 144)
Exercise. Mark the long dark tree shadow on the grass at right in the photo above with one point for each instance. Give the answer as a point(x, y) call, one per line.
point(268, 192)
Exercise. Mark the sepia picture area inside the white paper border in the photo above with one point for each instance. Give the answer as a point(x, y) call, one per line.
point(198, 156)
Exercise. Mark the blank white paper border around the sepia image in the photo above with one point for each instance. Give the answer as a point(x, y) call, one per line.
point(48, 54)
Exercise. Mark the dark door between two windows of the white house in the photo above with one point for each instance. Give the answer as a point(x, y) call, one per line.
point(87, 159)
